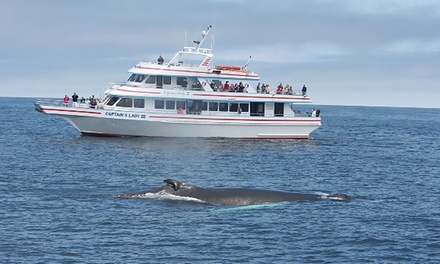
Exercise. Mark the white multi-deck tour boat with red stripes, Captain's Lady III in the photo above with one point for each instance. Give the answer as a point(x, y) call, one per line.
point(187, 97)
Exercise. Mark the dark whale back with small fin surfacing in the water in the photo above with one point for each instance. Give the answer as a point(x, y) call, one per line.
point(230, 196)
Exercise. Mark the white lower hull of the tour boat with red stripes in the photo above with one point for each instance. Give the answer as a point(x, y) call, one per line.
point(111, 123)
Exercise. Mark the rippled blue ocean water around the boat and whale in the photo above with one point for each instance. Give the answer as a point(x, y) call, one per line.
point(56, 191)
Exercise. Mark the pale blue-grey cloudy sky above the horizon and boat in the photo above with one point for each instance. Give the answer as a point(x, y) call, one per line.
point(347, 52)
